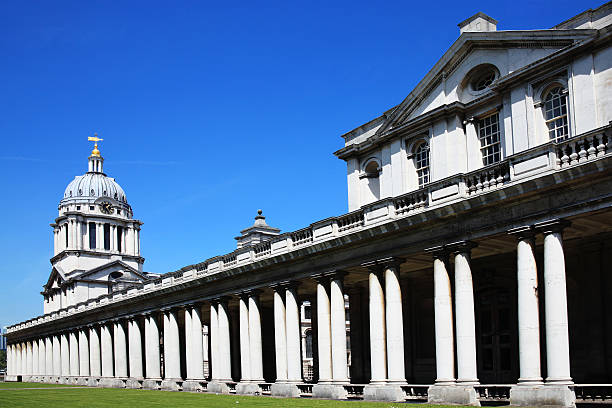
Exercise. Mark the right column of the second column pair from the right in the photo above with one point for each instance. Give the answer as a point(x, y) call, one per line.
point(464, 307)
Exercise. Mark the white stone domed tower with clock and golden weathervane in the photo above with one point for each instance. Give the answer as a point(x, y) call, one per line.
point(96, 240)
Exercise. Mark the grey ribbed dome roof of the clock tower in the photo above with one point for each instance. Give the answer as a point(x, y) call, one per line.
point(94, 185)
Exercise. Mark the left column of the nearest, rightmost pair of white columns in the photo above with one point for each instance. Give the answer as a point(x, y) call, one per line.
point(528, 311)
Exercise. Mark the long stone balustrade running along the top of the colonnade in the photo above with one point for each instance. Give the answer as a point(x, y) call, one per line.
point(535, 162)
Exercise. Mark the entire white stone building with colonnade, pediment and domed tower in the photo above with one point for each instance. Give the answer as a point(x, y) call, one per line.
point(475, 255)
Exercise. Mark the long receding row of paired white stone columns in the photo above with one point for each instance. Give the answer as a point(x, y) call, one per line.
point(127, 352)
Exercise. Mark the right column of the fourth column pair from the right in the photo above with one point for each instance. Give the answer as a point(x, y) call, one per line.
point(338, 329)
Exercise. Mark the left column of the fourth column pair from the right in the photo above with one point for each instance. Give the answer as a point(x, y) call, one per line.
point(324, 330)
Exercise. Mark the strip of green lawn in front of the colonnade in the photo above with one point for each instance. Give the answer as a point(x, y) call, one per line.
point(116, 398)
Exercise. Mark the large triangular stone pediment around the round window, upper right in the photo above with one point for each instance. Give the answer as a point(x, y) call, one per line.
point(507, 51)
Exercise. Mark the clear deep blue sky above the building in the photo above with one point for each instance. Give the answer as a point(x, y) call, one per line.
point(209, 111)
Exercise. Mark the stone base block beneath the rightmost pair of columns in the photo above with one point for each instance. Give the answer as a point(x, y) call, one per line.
point(542, 396)
